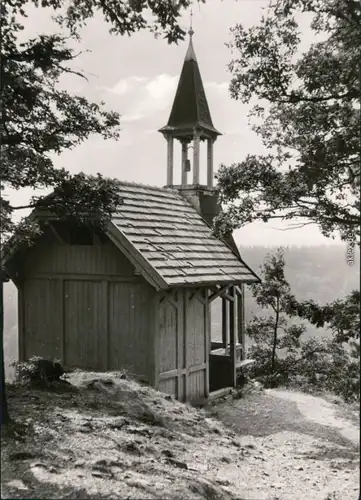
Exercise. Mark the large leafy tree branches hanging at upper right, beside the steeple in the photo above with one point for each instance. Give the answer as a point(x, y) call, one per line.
point(307, 115)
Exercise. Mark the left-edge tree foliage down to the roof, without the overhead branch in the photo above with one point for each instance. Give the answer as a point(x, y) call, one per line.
point(39, 121)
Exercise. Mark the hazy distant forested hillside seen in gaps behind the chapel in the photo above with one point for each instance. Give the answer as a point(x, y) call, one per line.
point(320, 273)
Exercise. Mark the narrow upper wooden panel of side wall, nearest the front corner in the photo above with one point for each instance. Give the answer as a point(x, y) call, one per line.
point(168, 332)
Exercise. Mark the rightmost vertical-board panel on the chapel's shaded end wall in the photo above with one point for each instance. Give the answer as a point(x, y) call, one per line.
point(130, 328)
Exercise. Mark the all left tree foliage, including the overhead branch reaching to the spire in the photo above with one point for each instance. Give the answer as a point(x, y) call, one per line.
point(40, 120)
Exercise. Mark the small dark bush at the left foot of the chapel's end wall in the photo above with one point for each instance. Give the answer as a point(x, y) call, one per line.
point(38, 370)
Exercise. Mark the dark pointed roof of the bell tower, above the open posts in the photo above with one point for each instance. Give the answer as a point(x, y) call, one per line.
point(190, 108)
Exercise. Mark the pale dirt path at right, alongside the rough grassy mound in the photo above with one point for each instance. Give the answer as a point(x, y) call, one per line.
point(306, 449)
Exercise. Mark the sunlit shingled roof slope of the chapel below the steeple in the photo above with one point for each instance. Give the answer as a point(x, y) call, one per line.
point(171, 242)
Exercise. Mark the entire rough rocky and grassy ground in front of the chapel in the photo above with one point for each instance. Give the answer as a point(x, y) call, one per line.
point(108, 437)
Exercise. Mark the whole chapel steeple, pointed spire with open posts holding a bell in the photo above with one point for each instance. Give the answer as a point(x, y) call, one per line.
point(190, 121)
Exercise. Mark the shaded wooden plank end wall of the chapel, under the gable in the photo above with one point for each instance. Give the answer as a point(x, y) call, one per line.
point(86, 307)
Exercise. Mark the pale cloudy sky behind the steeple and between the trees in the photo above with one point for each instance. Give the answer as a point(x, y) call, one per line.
point(137, 77)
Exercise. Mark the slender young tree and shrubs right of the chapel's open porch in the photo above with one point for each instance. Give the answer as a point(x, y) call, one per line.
point(284, 357)
